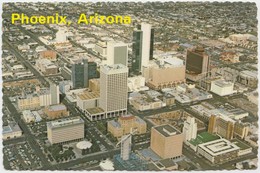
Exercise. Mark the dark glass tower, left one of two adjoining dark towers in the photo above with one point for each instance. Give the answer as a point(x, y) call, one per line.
point(79, 74)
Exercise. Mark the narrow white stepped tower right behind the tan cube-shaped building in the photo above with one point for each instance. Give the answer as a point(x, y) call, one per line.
point(190, 129)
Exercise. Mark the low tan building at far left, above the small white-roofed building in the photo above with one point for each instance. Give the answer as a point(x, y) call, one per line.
point(31, 101)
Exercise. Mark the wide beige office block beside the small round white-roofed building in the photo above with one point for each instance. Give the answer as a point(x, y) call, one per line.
point(65, 130)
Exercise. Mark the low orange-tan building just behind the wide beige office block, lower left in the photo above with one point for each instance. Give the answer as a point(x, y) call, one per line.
point(56, 111)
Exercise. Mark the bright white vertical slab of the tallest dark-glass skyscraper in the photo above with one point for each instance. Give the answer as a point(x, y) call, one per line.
point(146, 43)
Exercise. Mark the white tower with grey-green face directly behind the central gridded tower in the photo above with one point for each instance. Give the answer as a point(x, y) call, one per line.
point(117, 53)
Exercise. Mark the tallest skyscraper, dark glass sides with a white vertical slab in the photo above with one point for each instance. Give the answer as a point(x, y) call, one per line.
point(143, 40)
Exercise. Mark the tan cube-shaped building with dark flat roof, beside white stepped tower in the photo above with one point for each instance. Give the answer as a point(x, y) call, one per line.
point(166, 141)
